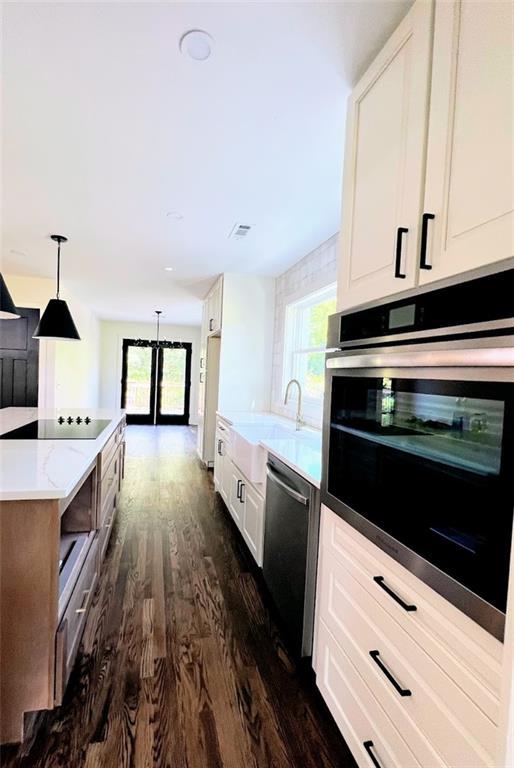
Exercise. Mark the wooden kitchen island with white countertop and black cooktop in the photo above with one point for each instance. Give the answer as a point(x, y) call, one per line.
point(57, 505)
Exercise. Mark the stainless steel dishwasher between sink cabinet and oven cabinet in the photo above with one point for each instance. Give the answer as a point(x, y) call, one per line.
point(291, 534)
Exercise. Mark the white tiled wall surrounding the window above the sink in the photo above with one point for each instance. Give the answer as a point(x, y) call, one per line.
point(316, 270)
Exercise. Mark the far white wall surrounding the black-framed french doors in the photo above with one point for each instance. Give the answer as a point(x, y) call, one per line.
point(112, 334)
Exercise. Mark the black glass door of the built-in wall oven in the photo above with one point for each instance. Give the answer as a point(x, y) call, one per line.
point(430, 462)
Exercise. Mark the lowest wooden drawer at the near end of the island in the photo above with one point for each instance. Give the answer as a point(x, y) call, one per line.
point(70, 629)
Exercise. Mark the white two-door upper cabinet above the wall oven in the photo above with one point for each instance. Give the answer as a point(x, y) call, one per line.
point(429, 169)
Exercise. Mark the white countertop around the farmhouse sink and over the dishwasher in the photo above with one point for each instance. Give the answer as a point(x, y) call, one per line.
point(301, 451)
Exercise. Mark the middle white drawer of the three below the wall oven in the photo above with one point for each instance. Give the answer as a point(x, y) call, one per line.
point(442, 725)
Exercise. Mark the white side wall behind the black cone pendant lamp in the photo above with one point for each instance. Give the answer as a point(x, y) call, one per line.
point(68, 370)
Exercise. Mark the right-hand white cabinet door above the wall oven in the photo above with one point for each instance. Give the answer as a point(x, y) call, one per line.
point(469, 177)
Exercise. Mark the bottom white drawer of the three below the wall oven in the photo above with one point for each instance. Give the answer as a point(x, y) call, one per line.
point(370, 734)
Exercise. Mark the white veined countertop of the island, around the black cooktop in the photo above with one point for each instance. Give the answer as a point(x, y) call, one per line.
point(47, 469)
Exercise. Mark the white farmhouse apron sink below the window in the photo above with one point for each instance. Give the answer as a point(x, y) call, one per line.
point(246, 452)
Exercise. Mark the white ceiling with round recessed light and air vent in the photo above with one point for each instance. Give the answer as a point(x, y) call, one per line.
point(107, 127)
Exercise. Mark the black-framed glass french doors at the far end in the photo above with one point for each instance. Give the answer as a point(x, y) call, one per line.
point(156, 383)
